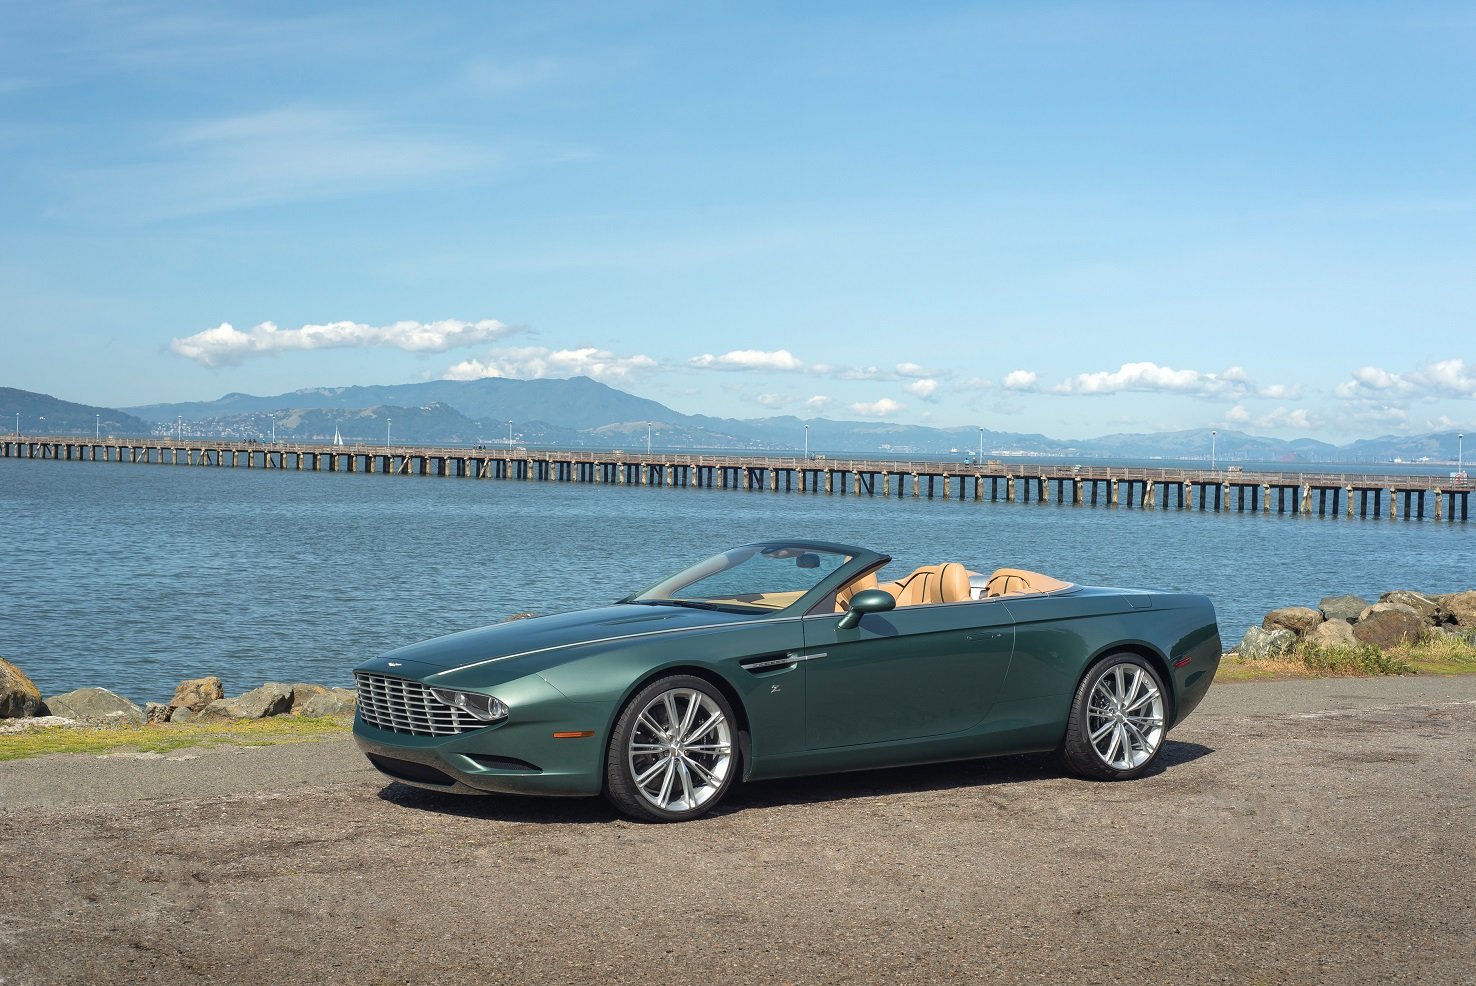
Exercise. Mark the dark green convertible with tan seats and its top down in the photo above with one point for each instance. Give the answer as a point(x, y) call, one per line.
point(782, 659)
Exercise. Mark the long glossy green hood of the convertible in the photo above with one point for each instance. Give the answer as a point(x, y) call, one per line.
point(544, 637)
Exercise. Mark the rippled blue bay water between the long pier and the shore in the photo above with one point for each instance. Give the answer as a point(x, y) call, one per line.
point(135, 578)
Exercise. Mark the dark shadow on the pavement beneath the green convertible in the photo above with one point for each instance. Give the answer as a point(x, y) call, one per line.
point(808, 790)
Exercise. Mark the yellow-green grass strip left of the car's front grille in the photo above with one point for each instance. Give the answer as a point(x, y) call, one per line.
point(168, 737)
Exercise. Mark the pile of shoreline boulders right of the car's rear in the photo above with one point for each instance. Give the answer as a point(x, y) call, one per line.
point(1401, 618)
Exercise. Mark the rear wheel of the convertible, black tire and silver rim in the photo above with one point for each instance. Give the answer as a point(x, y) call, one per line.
point(1118, 721)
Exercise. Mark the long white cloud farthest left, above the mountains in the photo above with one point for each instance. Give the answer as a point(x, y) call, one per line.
point(227, 346)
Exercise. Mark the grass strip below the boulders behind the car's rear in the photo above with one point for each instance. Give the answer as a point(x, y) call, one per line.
point(1435, 655)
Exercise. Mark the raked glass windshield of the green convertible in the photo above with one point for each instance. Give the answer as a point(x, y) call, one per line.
point(752, 579)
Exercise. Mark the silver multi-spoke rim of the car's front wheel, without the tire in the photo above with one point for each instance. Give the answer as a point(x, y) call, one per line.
point(680, 752)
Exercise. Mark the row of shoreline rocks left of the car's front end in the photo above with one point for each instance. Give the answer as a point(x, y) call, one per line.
point(197, 700)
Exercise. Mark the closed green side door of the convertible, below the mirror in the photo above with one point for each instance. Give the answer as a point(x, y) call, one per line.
point(920, 671)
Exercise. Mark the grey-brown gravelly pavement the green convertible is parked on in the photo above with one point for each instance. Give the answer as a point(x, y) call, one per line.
point(1298, 833)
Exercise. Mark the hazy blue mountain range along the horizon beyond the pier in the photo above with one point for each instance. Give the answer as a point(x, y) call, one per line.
point(584, 413)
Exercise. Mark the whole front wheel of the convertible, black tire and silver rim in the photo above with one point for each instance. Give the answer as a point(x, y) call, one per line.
point(656, 773)
